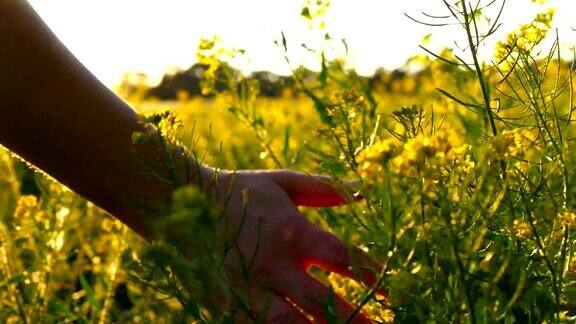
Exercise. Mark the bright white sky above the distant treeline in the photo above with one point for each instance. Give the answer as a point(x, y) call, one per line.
point(153, 36)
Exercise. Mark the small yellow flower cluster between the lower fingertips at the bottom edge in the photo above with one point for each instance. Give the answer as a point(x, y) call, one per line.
point(377, 309)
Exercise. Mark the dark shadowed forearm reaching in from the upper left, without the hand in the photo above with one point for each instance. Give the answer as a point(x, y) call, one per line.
point(59, 117)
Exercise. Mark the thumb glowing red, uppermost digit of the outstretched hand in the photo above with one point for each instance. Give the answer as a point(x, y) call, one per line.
point(312, 190)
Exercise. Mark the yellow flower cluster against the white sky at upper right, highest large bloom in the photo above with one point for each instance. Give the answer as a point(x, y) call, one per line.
point(523, 39)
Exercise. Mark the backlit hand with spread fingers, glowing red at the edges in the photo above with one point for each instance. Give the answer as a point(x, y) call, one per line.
point(283, 245)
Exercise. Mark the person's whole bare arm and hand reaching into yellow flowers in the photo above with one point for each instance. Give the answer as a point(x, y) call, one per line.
point(57, 115)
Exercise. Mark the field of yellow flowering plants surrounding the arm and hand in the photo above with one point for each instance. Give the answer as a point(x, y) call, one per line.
point(466, 169)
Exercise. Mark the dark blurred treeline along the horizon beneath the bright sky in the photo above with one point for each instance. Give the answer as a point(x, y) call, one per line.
point(400, 81)
